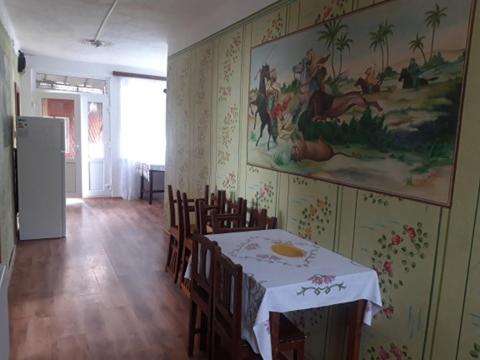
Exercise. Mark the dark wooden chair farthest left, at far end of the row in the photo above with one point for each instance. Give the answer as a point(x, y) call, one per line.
point(174, 248)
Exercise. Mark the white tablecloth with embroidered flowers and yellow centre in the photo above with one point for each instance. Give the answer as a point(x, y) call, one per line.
point(283, 273)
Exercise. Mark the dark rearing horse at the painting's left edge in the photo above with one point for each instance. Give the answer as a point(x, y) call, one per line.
point(261, 102)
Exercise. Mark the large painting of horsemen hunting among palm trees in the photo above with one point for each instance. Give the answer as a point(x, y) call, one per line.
point(370, 100)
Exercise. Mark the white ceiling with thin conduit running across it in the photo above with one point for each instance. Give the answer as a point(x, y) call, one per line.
point(142, 32)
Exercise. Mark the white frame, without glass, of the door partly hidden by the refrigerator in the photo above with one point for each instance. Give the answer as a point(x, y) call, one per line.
point(38, 95)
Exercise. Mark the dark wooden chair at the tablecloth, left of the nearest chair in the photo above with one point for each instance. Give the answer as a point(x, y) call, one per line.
point(201, 292)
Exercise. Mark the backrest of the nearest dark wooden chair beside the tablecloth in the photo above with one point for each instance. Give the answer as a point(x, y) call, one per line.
point(227, 302)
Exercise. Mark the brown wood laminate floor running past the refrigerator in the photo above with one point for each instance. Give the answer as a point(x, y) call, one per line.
point(101, 293)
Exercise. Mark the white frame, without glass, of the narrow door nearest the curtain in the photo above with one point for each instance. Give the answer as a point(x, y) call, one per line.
point(107, 160)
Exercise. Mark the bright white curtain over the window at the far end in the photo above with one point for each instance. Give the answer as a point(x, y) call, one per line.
point(142, 130)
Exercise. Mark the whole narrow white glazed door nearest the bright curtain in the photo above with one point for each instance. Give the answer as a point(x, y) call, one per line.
point(96, 144)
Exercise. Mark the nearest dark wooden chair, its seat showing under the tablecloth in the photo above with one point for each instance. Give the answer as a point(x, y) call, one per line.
point(227, 318)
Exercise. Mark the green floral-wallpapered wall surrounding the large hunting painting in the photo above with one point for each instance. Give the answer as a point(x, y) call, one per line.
point(432, 296)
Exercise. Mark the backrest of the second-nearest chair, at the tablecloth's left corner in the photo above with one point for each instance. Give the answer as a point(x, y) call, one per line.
point(204, 252)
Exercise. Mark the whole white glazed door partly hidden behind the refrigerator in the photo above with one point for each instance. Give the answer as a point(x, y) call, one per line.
point(66, 106)
